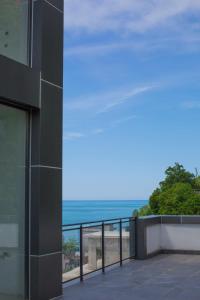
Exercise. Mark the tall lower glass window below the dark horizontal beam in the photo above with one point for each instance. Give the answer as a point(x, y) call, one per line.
point(13, 123)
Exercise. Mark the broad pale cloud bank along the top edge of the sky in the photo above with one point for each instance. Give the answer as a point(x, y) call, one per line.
point(126, 15)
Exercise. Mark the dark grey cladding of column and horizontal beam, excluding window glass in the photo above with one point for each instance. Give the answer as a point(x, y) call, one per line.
point(38, 89)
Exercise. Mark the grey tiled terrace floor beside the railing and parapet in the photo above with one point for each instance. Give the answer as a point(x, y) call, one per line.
point(164, 277)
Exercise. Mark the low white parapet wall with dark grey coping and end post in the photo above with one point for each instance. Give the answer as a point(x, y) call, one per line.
point(167, 234)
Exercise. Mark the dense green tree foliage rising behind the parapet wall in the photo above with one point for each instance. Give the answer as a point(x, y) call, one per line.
point(178, 193)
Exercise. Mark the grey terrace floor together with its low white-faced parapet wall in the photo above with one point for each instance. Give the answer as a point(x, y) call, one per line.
point(166, 265)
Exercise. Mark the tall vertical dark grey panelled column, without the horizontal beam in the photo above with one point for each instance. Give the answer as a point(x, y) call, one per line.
point(46, 153)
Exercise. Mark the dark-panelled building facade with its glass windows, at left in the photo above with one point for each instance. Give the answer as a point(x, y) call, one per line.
point(31, 88)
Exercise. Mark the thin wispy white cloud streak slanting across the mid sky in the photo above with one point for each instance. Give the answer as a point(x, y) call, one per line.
point(105, 102)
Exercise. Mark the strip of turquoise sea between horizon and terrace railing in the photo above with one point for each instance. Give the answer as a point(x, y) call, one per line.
point(86, 211)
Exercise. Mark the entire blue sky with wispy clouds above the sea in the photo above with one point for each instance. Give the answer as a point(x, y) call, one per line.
point(131, 95)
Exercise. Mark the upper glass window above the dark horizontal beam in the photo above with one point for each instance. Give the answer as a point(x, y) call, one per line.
point(14, 29)
